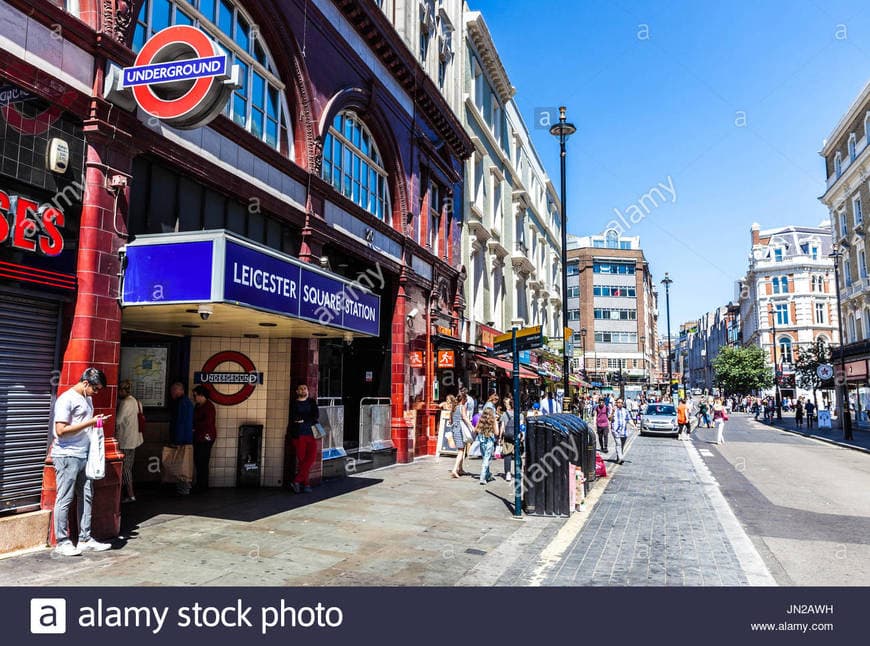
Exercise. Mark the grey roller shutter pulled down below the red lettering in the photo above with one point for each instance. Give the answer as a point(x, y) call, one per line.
point(28, 344)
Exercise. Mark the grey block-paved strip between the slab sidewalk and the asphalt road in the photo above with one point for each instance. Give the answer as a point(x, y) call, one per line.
point(661, 521)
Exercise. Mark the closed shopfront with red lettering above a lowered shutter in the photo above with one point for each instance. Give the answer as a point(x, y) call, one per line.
point(40, 208)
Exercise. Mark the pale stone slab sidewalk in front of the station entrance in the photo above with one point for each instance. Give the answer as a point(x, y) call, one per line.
point(404, 525)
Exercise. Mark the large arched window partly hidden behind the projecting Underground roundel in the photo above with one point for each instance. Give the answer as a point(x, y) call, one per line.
point(258, 105)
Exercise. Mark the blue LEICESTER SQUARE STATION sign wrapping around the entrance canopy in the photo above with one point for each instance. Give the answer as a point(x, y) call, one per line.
point(217, 267)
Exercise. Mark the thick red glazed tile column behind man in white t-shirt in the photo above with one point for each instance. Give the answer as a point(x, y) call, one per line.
point(95, 336)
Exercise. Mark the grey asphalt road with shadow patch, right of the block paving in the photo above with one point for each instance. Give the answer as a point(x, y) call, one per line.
point(805, 504)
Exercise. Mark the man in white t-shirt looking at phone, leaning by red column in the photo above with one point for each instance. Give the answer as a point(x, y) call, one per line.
point(73, 416)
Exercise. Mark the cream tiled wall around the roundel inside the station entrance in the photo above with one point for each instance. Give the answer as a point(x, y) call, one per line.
point(266, 406)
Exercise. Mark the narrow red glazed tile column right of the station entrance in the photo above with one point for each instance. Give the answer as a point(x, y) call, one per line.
point(398, 369)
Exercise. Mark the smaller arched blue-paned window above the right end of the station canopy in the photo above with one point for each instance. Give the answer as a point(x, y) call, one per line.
point(352, 164)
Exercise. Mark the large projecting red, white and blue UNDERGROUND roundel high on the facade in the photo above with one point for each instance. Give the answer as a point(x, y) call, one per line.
point(182, 77)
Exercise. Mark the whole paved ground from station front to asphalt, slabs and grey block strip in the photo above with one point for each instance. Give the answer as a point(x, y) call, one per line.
point(658, 519)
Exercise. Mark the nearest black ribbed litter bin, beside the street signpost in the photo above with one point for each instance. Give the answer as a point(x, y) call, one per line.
point(549, 451)
